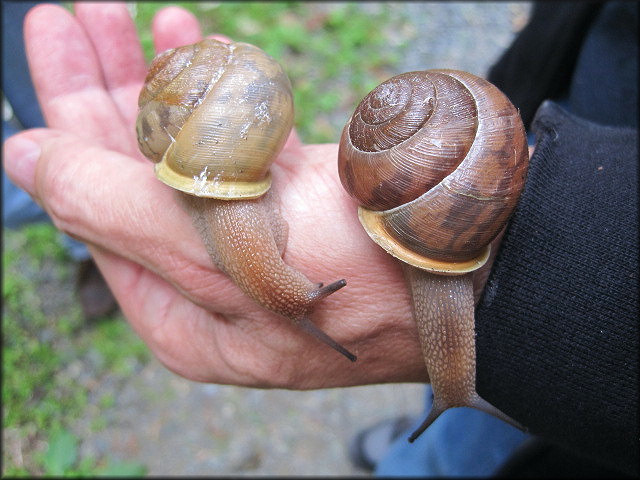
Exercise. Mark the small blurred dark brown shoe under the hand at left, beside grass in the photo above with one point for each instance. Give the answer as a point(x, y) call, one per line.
point(93, 292)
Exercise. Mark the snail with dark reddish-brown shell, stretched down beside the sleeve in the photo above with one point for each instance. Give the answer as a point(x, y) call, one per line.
point(437, 160)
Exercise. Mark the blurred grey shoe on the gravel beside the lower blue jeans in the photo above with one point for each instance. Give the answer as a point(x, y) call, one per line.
point(370, 445)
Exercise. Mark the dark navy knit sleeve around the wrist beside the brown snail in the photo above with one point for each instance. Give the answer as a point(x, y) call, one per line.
point(557, 327)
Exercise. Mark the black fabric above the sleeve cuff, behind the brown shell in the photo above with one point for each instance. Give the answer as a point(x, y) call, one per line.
point(540, 62)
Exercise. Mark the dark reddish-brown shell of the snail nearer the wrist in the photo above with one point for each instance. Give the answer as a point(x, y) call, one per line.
point(437, 159)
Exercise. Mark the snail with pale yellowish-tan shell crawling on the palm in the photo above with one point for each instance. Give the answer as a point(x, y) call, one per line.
point(213, 117)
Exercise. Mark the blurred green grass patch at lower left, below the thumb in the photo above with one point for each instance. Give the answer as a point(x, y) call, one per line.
point(41, 341)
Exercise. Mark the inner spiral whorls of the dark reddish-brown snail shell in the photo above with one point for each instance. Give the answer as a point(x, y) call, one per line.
point(391, 155)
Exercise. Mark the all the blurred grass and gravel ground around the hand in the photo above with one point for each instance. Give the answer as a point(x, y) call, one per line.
point(87, 398)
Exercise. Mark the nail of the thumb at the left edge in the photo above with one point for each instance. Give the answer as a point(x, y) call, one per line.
point(20, 158)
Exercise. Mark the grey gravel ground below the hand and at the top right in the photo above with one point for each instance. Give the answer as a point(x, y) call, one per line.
point(178, 427)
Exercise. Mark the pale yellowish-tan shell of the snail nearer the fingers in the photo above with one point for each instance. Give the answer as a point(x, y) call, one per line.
point(214, 116)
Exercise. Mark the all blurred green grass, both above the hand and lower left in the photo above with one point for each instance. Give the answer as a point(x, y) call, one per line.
point(333, 57)
